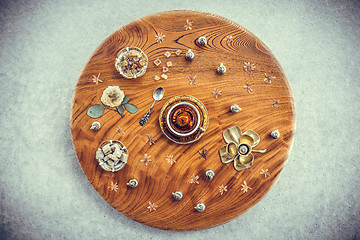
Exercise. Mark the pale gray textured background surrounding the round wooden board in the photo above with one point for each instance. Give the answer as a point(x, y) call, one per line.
point(44, 46)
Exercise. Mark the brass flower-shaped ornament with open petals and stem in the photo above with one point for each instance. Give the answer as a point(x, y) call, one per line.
point(239, 147)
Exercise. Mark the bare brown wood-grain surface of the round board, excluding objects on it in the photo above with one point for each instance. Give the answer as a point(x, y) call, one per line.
point(159, 178)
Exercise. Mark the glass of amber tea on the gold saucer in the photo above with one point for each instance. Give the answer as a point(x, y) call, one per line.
point(183, 119)
